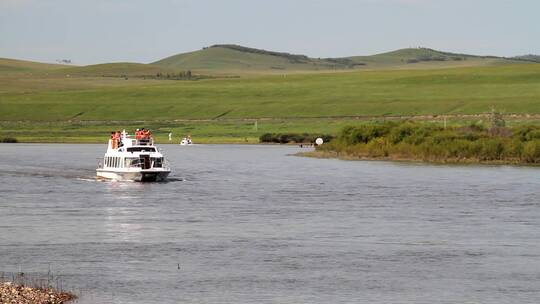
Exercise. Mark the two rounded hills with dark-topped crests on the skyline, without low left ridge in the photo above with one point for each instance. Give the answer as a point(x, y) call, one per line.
point(227, 57)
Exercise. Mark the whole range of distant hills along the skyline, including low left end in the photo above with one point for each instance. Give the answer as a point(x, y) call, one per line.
point(235, 59)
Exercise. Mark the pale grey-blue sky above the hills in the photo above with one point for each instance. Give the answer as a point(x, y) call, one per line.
point(99, 31)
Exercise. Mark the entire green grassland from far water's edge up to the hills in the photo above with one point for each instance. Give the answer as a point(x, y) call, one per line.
point(76, 104)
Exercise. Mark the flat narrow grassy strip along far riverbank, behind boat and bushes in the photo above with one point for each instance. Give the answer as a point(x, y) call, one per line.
point(226, 131)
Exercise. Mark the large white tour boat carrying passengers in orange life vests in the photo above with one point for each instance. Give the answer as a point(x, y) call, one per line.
point(133, 160)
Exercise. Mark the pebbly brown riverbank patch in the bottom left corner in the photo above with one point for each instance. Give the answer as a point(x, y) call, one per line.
point(20, 294)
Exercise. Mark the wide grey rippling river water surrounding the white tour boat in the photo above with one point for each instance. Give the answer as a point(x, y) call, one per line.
point(249, 224)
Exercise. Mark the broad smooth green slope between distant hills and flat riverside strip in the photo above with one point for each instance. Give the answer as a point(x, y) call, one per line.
point(513, 89)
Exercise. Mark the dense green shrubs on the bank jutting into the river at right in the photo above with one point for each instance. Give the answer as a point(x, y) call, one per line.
point(430, 142)
